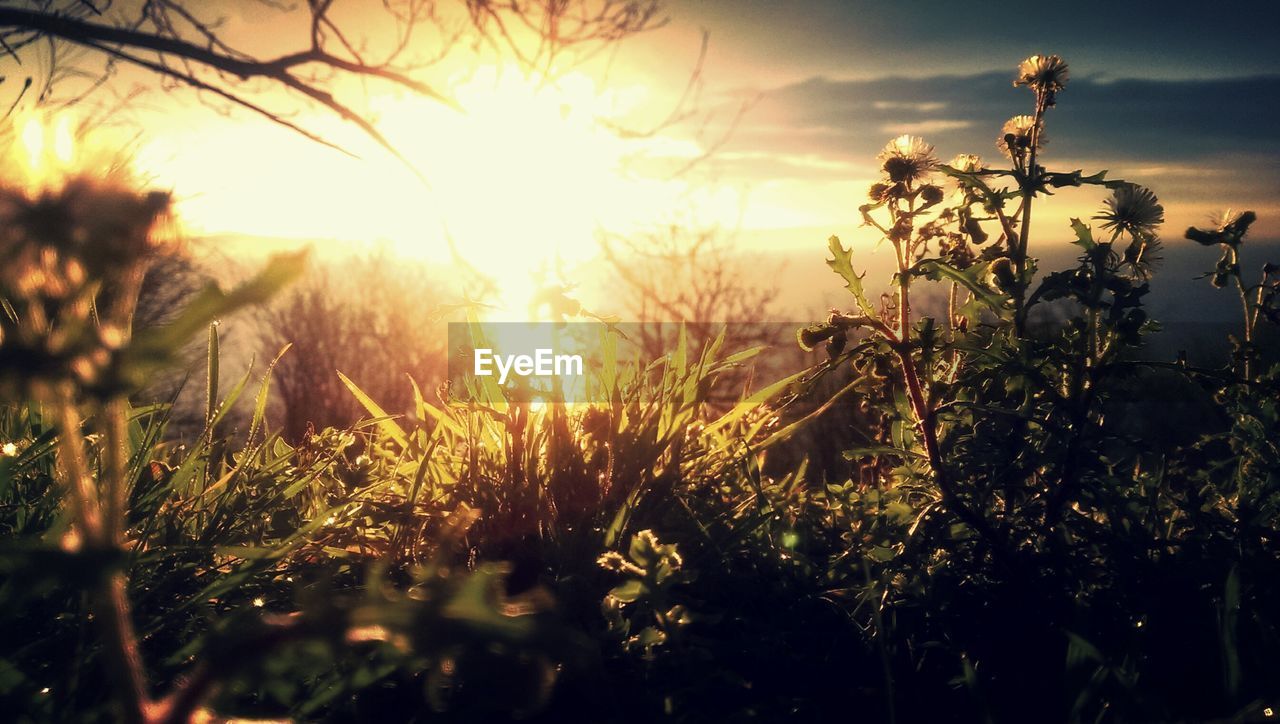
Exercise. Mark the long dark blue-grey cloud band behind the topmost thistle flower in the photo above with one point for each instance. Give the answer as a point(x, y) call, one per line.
point(1126, 118)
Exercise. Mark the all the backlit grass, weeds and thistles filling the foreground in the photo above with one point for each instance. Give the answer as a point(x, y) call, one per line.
point(1036, 524)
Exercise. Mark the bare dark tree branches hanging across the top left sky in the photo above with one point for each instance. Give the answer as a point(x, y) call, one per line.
point(184, 44)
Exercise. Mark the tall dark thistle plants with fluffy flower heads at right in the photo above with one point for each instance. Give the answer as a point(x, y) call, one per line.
point(1060, 526)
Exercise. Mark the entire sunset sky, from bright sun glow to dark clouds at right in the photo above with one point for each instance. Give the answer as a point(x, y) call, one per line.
point(1178, 97)
